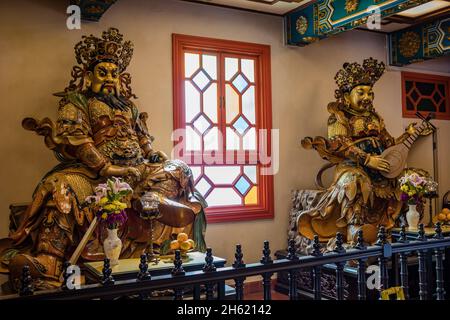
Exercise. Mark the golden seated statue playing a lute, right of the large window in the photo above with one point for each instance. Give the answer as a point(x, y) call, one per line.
point(360, 197)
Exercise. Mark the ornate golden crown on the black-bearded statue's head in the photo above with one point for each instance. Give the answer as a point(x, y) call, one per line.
point(110, 47)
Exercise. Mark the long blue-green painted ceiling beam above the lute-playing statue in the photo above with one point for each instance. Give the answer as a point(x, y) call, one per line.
point(324, 18)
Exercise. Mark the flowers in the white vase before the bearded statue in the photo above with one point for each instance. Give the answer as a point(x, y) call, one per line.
point(109, 202)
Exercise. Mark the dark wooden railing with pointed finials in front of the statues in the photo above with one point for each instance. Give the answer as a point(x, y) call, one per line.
point(179, 280)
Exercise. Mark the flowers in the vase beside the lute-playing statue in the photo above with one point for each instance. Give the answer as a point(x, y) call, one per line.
point(414, 187)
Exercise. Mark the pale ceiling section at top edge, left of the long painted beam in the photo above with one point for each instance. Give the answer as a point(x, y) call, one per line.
point(269, 6)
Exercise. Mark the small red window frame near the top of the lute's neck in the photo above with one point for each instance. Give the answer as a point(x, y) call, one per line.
point(427, 78)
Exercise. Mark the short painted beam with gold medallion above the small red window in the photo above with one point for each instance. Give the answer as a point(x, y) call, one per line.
point(420, 42)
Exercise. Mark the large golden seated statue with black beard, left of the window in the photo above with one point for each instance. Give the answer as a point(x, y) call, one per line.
point(99, 133)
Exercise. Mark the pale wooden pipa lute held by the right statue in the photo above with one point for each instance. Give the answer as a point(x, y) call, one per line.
point(398, 154)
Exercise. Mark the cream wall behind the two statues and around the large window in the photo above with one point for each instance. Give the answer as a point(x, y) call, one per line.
point(37, 55)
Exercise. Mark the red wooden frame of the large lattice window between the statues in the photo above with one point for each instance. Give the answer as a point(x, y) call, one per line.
point(261, 53)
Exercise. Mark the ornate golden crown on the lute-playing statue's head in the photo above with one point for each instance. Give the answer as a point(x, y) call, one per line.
point(354, 74)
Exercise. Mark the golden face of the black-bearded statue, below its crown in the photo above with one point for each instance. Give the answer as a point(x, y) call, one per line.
point(104, 78)
